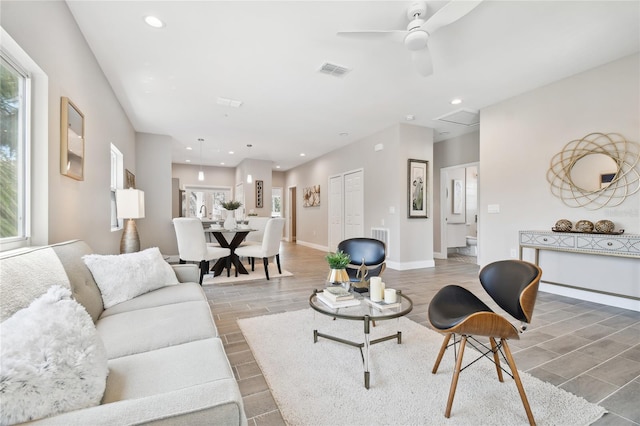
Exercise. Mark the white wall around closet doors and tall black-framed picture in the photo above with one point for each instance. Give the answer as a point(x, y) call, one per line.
point(385, 197)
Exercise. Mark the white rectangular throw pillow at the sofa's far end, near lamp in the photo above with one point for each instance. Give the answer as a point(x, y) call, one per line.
point(125, 276)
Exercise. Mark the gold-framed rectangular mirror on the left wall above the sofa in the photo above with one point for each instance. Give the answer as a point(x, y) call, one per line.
point(71, 140)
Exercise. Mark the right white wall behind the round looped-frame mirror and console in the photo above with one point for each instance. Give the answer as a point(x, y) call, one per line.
point(518, 138)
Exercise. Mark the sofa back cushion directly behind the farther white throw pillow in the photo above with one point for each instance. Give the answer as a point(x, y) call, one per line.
point(83, 286)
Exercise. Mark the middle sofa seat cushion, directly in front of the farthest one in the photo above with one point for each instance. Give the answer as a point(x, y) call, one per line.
point(155, 328)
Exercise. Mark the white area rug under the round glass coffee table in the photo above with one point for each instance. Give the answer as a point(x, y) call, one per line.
point(323, 383)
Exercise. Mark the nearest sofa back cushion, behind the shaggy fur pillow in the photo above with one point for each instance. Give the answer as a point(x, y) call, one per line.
point(26, 275)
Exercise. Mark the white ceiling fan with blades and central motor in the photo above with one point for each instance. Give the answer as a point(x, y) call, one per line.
point(416, 36)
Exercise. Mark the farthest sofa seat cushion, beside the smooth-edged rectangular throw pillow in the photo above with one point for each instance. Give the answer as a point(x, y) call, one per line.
point(186, 292)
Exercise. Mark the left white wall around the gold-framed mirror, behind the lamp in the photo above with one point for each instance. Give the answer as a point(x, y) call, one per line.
point(50, 36)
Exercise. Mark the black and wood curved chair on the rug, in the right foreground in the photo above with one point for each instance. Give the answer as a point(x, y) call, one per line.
point(455, 311)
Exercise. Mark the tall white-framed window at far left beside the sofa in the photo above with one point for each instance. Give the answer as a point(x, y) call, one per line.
point(14, 151)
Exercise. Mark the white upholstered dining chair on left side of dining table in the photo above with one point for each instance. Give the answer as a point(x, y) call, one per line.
point(192, 246)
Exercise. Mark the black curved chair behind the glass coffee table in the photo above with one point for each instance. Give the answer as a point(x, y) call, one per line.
point(367, 258)
